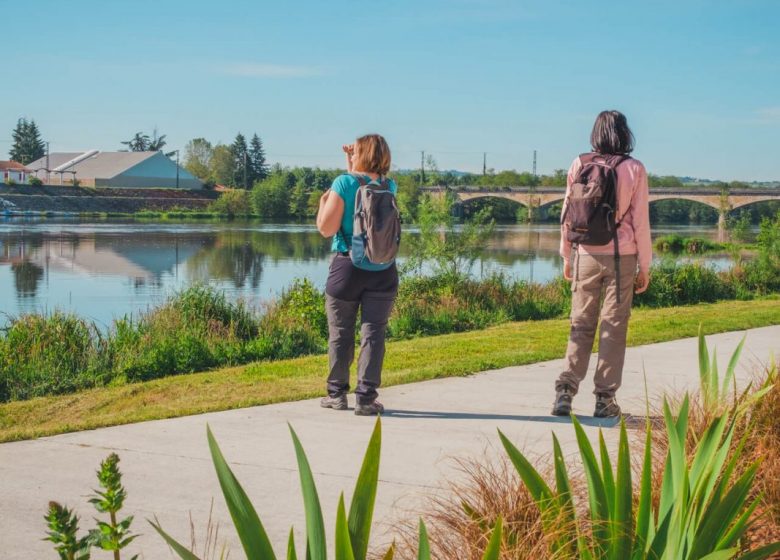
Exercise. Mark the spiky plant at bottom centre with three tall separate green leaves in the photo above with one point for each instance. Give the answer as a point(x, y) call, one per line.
point(352, 529)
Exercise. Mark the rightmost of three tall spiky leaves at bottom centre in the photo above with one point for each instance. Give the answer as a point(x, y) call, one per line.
point(361, 510)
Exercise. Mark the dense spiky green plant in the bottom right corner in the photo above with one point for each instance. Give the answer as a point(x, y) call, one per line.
point(703, 513)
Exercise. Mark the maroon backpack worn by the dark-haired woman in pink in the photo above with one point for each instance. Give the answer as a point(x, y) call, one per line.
point(591, 215)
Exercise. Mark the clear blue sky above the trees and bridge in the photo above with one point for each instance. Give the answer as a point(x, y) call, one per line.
point(699, 80)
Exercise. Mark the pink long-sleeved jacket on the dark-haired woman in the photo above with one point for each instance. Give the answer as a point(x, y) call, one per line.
point(633, 215)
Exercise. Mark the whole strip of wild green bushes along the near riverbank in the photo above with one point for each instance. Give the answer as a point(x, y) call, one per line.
point(199, 328)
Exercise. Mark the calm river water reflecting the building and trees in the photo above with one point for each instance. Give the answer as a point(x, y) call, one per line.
point(106, 269)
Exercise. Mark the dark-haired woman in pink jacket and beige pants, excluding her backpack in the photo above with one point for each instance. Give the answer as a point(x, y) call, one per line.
point(603, 285)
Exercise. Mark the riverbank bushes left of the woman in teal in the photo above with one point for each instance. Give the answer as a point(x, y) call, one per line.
point(194, 330)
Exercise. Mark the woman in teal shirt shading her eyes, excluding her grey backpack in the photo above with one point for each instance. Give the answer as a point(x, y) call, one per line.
point(350, 289)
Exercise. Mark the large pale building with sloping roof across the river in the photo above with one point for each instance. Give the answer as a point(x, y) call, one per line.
point(113, 169)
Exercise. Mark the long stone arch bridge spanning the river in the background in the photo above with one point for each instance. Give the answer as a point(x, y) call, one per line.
point(539, 197)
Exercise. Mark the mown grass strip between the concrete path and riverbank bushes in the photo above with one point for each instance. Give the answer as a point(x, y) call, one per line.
point(406, 361)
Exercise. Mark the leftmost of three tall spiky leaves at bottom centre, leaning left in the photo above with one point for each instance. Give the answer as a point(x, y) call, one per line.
point(248, 526)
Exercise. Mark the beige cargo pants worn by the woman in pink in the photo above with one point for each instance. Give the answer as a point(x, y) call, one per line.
point(594, 281)
